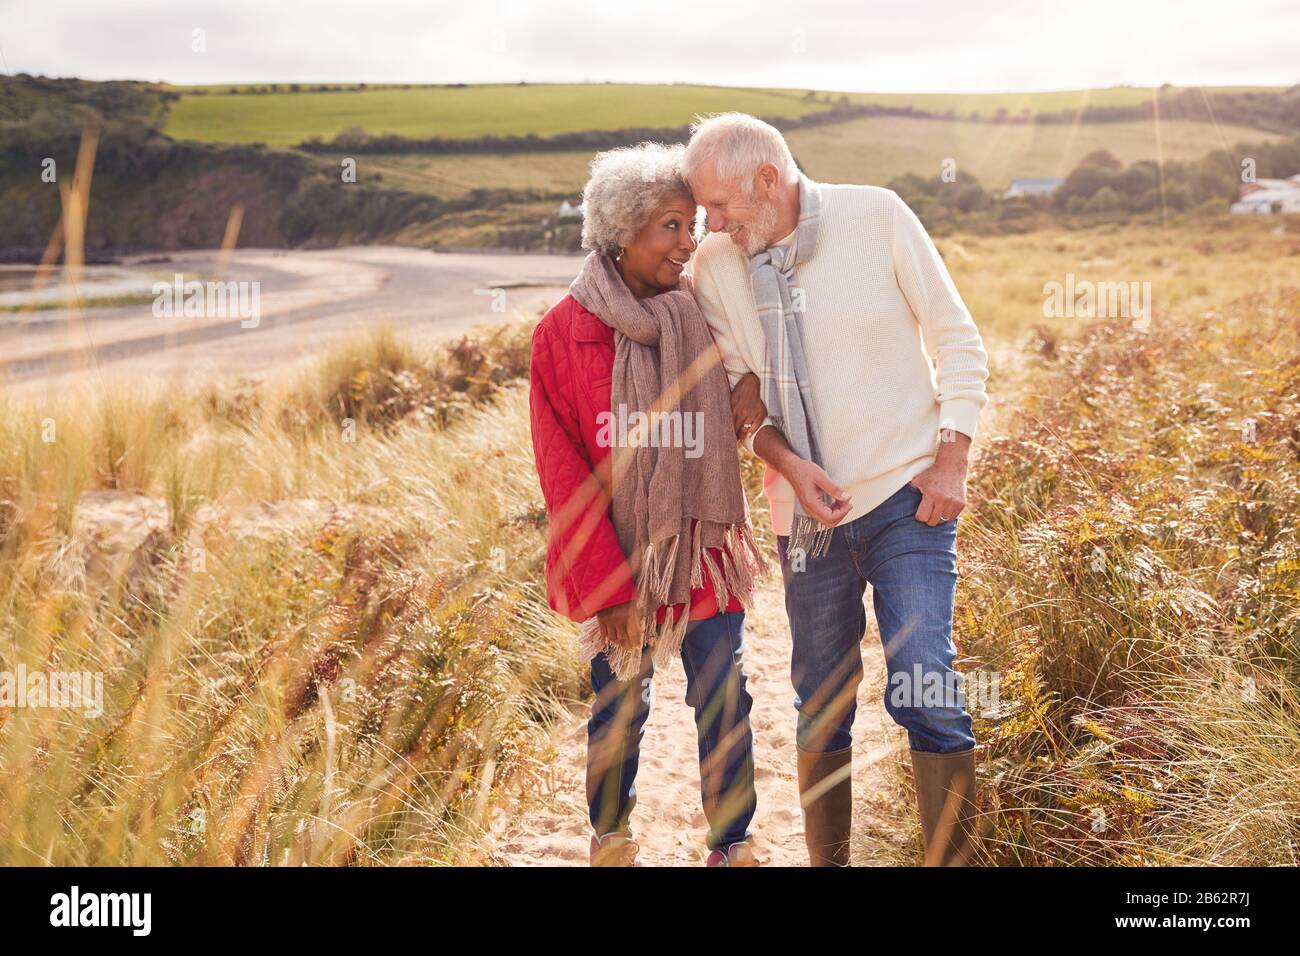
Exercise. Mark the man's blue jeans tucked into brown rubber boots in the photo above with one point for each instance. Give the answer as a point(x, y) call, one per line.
point(913, 572)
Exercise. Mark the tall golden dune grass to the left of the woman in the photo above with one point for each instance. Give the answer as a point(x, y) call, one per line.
point(332, 650)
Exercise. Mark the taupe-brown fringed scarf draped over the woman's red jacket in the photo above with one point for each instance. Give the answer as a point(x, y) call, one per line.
point(668, 377)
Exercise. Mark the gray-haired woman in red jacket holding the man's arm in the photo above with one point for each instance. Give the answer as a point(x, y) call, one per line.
point(649, 543)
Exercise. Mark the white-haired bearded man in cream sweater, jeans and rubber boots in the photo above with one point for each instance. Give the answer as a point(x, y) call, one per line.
point(873, 374)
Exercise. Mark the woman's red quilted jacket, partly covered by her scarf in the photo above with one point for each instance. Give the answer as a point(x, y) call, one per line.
point(573, 366)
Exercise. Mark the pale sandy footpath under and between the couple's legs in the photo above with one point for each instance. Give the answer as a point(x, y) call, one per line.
point(669, 821)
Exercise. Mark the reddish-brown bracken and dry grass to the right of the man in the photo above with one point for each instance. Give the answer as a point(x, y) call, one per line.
point(1132, 573)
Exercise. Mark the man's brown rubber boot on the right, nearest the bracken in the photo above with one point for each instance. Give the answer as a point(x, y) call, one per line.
point(946, 802)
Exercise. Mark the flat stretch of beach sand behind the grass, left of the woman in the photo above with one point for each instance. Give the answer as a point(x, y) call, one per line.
point(309, 301)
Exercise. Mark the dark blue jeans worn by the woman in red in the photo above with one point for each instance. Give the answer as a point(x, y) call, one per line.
point(713, 657)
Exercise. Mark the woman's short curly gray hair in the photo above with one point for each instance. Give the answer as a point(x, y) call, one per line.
point(626, 187)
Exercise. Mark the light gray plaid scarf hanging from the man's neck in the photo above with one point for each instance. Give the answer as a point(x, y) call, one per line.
point(786, 378)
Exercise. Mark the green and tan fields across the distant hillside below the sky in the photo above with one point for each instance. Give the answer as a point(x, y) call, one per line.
point(995, 142)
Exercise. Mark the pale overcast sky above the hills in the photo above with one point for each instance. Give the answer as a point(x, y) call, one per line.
point(830, 45)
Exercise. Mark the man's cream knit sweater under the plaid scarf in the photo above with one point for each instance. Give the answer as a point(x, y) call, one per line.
point(894, 356)
